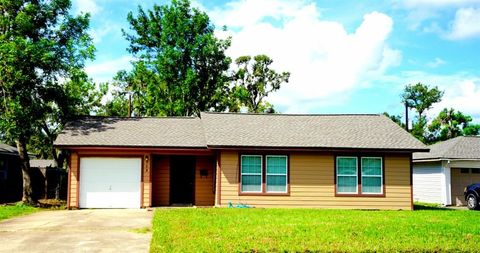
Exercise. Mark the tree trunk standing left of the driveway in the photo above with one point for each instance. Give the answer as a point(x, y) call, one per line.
point(25, 166)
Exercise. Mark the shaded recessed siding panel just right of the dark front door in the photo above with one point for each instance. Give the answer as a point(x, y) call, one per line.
point(204, 195)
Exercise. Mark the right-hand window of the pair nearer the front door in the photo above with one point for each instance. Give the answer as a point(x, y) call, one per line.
point(276, 174)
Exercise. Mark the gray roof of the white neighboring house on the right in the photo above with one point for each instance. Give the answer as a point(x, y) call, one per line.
point(463, 147)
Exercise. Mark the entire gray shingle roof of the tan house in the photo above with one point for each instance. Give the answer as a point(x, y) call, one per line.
point(216, 130)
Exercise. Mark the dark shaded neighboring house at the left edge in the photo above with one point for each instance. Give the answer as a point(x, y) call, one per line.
point(10, 174)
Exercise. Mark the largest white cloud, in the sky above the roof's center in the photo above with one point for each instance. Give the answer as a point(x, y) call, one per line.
point(326, 62)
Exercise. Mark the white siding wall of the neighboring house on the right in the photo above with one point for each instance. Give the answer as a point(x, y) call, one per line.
point(429, 183)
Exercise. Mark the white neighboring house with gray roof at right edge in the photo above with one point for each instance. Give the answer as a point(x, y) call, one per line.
point(441, 175)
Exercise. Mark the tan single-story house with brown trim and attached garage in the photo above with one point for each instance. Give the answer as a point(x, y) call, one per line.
point(261, 160)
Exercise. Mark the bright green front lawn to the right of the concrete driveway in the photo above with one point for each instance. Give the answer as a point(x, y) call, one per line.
point(313, 230)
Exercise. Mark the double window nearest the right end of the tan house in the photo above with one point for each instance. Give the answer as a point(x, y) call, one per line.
point(360, 176)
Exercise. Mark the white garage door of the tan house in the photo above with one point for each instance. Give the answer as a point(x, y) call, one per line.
point(110, 182)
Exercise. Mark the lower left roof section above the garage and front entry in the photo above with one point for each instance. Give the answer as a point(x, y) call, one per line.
point(133, 132)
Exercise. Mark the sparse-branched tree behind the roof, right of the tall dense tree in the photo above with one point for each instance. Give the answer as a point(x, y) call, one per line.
point(253, 82)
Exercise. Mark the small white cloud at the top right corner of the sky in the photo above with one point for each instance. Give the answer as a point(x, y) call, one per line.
point(466, 24)
